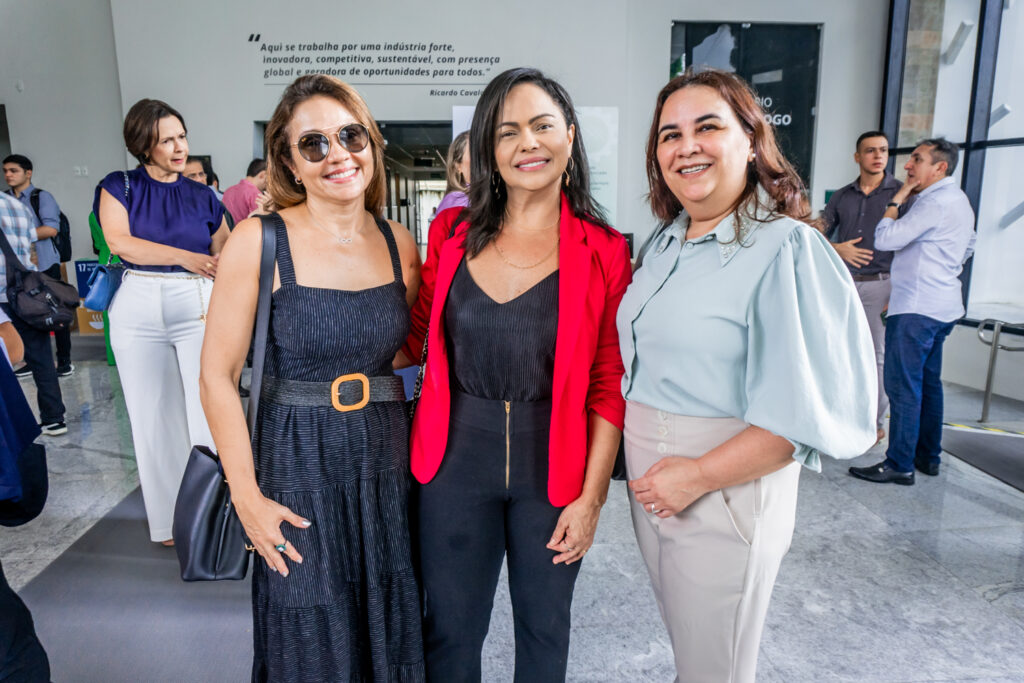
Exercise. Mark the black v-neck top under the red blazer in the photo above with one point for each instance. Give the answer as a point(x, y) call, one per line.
point(502, 352)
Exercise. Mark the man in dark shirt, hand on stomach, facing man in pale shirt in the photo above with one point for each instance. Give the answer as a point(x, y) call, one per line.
point(849, 220)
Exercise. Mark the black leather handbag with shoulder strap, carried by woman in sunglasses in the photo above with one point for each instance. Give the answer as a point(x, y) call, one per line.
point(208, 536)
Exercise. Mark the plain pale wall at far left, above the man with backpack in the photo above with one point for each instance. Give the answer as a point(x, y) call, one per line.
point(61, 91)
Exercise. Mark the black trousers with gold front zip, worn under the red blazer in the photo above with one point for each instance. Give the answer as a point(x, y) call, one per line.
point(491, 499)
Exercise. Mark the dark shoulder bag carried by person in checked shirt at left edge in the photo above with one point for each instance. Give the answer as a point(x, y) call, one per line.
point(42, 303)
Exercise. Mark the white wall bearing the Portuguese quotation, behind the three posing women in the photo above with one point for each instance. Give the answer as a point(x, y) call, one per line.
point(607, 53)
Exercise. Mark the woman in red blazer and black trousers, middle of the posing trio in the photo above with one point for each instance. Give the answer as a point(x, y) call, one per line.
point(521, 414)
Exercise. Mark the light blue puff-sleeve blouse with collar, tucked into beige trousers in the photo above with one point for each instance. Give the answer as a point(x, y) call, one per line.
point(767, 329)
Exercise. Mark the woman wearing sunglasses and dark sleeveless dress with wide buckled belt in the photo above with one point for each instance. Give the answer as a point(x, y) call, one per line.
point(322, 488)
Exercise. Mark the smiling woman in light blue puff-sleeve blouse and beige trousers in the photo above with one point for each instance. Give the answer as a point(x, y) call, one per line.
point(747, 356)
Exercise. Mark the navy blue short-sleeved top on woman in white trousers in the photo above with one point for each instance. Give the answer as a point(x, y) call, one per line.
point(183, 215)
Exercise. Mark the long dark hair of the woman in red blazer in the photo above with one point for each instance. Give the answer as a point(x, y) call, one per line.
point(488, 193)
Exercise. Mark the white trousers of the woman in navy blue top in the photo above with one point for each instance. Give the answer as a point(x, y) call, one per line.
point(157, 335)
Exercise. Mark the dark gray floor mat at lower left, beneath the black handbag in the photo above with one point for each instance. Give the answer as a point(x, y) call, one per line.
point(113, 609)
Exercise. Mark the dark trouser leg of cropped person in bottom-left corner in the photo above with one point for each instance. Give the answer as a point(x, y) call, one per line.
point(23, 659)
